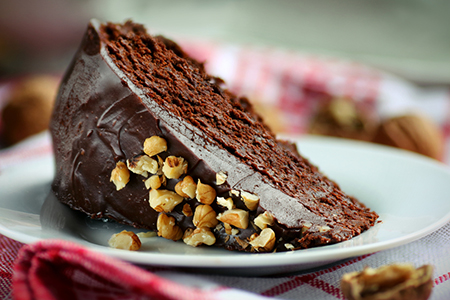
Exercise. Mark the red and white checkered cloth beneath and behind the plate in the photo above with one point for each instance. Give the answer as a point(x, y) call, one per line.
point(291, 82)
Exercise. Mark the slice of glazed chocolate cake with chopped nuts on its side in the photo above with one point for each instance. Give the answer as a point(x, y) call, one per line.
point(144, 136)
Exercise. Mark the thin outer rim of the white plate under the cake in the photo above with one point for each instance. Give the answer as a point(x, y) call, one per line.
point(236, 260)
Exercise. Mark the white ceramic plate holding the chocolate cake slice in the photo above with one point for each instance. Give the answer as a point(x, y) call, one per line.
point(409, 191)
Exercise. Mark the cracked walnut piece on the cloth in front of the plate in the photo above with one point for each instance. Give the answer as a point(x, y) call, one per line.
point(397, 281)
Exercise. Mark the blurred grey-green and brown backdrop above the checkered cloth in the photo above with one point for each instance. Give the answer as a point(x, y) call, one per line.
point(410, 38)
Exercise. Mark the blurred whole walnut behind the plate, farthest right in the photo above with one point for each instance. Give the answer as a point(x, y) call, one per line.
point(411, 132)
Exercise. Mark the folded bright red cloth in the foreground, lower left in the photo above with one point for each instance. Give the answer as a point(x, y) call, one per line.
point(55, 269)
